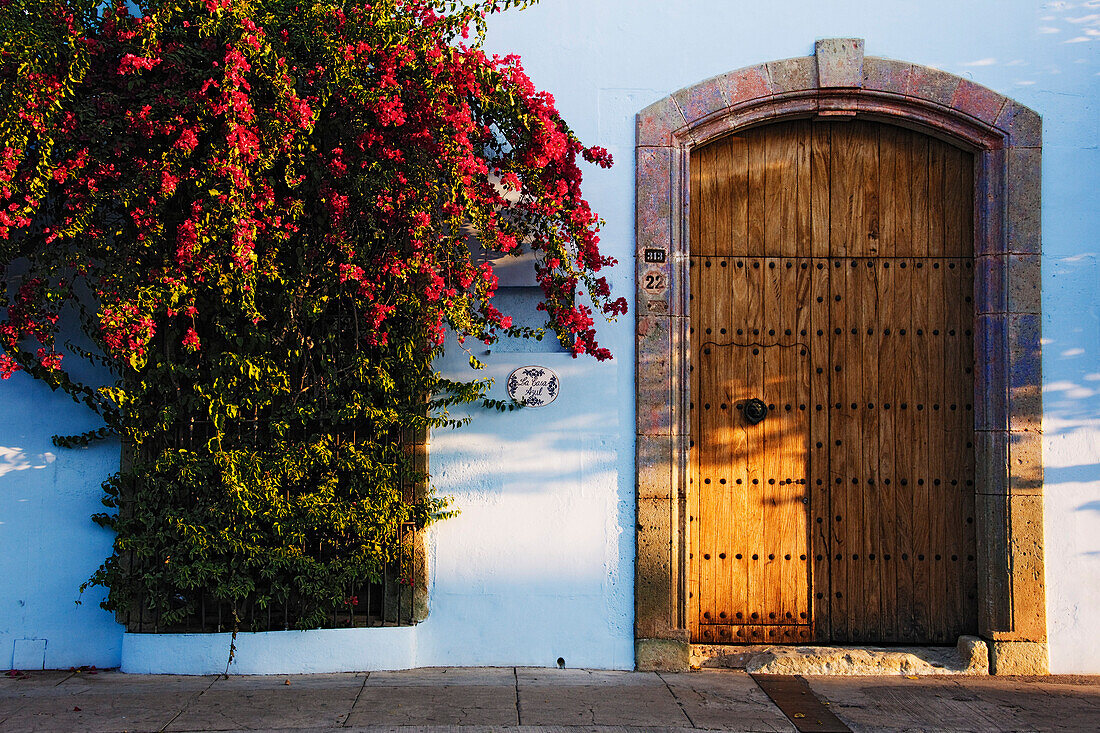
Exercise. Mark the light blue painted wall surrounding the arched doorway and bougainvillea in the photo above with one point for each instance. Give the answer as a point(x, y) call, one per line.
point(540, 564)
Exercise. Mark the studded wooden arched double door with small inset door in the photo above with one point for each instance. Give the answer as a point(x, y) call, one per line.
point(832, 270)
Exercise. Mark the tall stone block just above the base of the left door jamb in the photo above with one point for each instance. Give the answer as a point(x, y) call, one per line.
point(653, 586)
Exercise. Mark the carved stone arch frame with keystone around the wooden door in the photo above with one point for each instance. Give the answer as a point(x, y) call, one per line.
point(1006, 138)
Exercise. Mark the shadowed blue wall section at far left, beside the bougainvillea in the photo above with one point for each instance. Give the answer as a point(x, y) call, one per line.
point(49, 544)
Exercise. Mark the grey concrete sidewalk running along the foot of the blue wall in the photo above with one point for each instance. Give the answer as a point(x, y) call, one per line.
point(525, 698)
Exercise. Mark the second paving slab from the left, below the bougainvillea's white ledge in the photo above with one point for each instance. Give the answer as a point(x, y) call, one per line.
point(269, 702)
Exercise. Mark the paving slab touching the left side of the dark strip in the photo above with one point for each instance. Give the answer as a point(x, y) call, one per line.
point(725, 699)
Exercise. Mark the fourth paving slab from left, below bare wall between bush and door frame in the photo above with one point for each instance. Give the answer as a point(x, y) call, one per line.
point(576, 697)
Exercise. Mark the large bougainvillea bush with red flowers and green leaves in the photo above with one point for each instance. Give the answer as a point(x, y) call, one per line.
point(258, 213)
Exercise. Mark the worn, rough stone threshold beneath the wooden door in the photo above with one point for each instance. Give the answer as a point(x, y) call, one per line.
point(971, 657)
